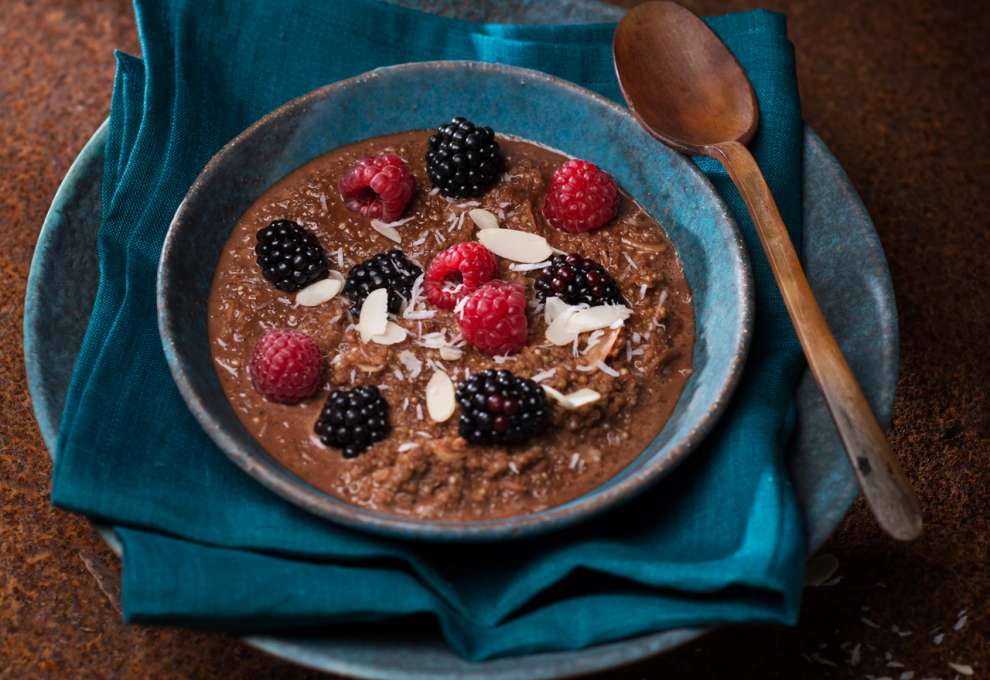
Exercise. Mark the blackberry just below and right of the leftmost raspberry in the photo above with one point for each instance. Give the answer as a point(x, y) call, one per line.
point(353, 420)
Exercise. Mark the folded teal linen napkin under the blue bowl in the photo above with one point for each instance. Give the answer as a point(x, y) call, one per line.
point(718, 541)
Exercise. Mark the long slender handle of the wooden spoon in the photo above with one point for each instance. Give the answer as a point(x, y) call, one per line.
point(887, 491)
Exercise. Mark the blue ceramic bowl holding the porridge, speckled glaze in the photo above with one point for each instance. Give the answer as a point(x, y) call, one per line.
point(526, 103)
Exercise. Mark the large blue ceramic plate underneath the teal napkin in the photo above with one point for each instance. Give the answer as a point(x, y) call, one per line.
point(848, 273)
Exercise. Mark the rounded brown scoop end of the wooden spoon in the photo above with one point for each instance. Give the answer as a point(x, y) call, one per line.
point(691, 92)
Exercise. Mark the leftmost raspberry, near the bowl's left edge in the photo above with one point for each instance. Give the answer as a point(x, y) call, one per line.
point(286, 366)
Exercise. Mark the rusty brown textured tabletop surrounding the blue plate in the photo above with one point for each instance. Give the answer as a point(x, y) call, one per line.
point(898, 90)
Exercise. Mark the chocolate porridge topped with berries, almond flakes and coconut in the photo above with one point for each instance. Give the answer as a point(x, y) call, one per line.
point(451, 324)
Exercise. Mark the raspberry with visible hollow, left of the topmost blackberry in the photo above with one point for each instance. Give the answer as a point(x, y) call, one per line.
point(378, 187)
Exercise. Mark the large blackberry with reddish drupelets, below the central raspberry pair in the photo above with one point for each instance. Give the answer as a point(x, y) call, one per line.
point(497, 407)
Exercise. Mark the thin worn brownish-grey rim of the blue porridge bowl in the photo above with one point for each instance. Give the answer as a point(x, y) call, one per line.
point(279, 479)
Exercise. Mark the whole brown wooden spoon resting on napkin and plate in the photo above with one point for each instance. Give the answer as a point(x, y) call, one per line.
point(686, 89)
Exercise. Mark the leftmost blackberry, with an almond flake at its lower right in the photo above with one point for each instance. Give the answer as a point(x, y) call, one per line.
point(289, 255)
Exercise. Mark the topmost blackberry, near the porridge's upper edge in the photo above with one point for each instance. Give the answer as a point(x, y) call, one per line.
point(464, 161)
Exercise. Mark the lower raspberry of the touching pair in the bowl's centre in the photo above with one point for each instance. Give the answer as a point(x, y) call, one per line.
point(493, 318)
